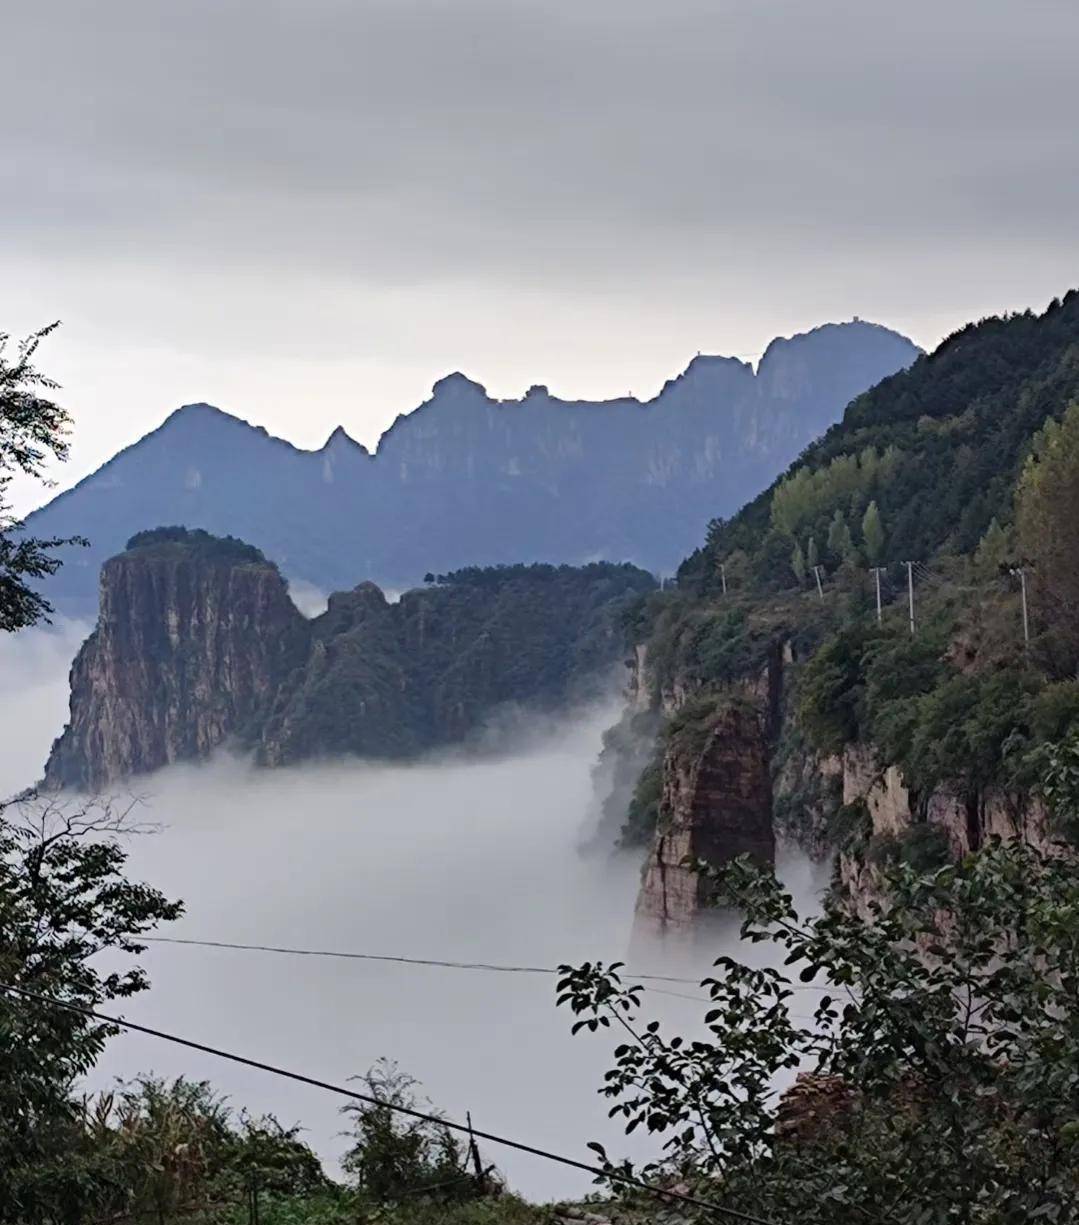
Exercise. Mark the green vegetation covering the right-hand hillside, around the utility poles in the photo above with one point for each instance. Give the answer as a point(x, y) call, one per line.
point(967, 467)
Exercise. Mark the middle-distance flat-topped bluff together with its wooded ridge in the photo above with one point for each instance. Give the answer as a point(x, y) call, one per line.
point(198, 646)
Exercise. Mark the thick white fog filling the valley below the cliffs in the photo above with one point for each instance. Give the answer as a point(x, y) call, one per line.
point(449, 859)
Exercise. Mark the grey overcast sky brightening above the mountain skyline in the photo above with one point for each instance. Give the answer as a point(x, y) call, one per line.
point(307, 211)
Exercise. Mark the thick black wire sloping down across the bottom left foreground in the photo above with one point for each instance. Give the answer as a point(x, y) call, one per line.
point(491, 1137)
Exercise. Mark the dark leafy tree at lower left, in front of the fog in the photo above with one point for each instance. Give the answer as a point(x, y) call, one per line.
point(64, 901)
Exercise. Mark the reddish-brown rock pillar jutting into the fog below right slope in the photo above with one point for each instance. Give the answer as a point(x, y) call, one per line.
point(717, 805)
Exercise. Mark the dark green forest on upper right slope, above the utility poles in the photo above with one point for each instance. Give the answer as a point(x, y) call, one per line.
point(950, 437)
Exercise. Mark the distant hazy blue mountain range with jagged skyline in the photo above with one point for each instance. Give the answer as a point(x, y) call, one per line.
point(467, 480)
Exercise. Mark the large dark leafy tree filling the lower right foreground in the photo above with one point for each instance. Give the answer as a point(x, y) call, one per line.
point(944, 1047)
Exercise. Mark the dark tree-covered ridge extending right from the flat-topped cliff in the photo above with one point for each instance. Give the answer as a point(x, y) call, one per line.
point(391, 680)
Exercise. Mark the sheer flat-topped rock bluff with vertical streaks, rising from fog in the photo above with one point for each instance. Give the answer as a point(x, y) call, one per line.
point(186, 654)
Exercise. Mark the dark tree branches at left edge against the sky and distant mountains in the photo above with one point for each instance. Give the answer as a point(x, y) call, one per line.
point(32, 429)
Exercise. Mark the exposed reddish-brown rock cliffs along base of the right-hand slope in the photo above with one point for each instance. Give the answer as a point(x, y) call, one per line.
point(738, 771)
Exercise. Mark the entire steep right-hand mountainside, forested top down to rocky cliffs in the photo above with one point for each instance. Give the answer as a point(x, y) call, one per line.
point(885, 741)
